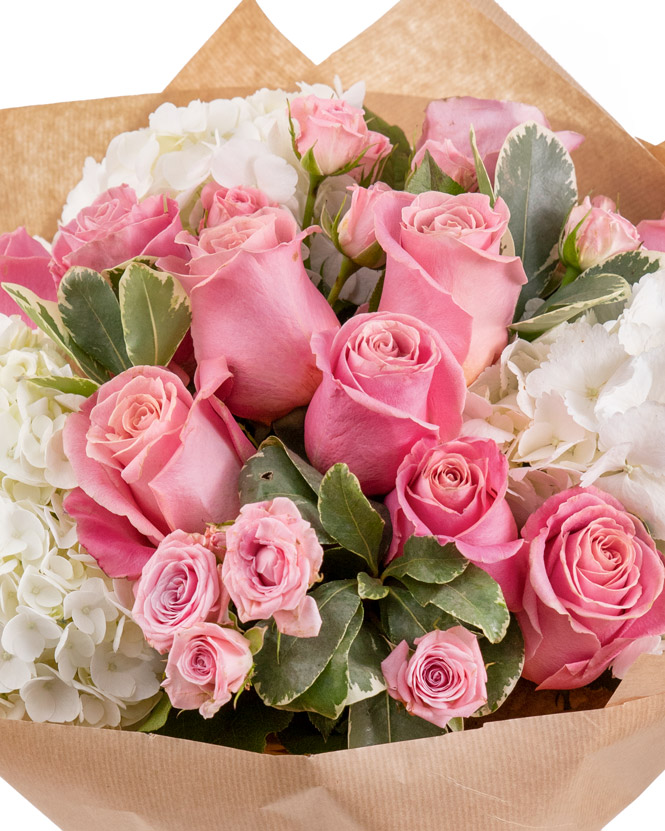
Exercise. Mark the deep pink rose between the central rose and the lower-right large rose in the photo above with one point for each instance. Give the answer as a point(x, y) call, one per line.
point(456, 492)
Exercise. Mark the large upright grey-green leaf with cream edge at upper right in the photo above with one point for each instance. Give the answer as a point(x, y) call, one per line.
point(535, 177)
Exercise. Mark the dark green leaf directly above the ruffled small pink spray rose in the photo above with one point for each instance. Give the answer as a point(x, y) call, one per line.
point(276, 471)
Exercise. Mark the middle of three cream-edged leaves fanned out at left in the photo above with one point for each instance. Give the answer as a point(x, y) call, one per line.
point(90, 311)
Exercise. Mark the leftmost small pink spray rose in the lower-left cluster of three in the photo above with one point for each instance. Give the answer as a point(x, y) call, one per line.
point(179, 586)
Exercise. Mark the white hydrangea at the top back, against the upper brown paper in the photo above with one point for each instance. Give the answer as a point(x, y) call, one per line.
point(237, 141)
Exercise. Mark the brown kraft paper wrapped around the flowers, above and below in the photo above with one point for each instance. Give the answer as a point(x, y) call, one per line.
point(573, 770)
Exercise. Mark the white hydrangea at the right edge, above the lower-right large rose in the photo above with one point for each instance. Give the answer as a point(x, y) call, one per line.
point(586, 400)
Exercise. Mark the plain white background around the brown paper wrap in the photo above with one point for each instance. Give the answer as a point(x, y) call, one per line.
point(77, 49)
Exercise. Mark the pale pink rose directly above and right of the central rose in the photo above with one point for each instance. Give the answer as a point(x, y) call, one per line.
point(443, 266)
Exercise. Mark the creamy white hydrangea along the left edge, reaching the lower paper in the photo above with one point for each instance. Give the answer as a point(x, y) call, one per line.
point(68, 649)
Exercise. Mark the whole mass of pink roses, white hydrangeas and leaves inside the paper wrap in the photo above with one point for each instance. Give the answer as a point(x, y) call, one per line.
point(319, 439)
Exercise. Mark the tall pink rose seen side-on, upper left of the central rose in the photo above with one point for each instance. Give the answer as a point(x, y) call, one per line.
point(254, 310)
